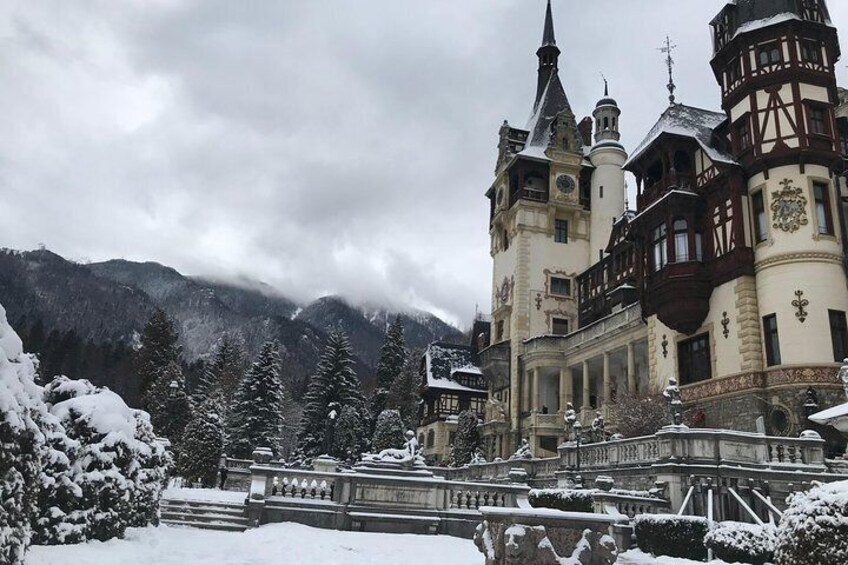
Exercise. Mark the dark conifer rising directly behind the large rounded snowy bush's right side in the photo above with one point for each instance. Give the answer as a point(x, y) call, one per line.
point(169, 405)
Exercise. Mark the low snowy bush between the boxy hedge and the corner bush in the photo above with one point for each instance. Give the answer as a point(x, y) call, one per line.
point(741, 542)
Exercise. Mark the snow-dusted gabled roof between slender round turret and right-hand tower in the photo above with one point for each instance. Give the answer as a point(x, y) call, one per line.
point(686, 121)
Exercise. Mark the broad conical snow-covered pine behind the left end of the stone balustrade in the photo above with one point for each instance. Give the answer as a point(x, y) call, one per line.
point(256, 417)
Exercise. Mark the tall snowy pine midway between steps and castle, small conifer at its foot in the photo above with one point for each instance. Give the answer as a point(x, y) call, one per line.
point(333, 386)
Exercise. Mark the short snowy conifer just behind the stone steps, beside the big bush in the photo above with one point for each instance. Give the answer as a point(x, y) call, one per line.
point(203, 442)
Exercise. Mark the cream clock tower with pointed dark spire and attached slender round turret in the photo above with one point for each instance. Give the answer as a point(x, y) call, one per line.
point(543, 233)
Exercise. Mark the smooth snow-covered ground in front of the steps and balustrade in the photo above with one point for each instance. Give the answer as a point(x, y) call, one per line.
point(274, 544)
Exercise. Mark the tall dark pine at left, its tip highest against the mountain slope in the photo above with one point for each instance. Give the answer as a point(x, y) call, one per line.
point(158, 350)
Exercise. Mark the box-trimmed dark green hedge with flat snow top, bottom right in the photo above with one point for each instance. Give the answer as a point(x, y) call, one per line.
point(672, 535)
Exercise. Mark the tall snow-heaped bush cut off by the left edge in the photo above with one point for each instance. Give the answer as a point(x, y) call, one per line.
point(21, 444)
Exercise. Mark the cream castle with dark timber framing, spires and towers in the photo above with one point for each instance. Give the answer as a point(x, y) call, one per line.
point(728, 276)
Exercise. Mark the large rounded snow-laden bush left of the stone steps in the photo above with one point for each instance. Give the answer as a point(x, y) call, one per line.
point(117, 463)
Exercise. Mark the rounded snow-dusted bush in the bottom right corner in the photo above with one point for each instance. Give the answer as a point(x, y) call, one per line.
point(814, 529)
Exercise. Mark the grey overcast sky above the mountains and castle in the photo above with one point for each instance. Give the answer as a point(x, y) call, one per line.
point(331, 146)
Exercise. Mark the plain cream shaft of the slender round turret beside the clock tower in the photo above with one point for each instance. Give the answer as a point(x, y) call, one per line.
point(608, 174)
